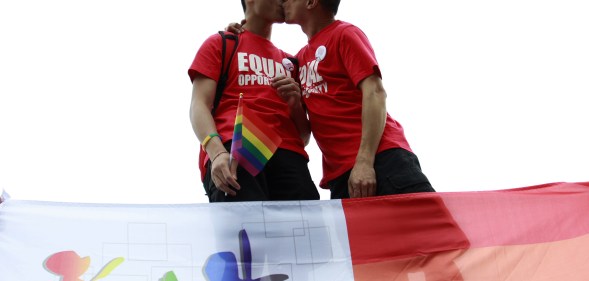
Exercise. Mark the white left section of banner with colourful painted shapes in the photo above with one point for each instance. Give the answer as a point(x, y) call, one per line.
point(215, 242)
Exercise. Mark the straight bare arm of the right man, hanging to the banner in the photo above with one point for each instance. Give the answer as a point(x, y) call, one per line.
point(362, 181)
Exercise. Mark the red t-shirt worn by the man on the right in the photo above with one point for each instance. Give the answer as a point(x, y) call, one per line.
point(335, 102)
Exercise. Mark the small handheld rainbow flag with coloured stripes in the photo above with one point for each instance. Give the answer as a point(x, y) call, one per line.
point(254, 143)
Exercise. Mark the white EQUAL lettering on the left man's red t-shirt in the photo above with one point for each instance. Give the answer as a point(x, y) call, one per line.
point(256, 70)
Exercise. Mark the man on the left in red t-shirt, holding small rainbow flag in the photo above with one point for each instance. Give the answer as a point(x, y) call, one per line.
point(271, 93)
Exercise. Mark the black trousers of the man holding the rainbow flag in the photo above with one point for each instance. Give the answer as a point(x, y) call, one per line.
point(286, 176)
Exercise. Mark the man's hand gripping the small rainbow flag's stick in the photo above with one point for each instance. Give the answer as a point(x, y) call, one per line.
point(224, 177)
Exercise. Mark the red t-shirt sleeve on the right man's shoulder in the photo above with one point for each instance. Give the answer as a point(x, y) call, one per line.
point(357, 54)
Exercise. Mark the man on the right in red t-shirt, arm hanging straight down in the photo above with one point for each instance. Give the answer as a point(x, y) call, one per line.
point(365, 152)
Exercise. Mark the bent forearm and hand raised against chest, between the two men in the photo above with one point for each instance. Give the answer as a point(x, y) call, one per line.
point(290, 91)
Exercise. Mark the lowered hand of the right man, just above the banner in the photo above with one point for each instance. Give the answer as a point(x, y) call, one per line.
point(362, 181)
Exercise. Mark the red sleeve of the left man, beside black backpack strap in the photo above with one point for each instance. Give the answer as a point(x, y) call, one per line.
point(207, 60)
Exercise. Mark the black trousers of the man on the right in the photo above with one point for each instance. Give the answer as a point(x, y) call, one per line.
point(397, 172)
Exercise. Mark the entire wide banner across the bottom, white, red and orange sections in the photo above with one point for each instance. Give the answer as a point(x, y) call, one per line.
point(536, 233)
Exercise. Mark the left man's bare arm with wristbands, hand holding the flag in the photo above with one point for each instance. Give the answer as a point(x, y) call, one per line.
point(203, 95)
